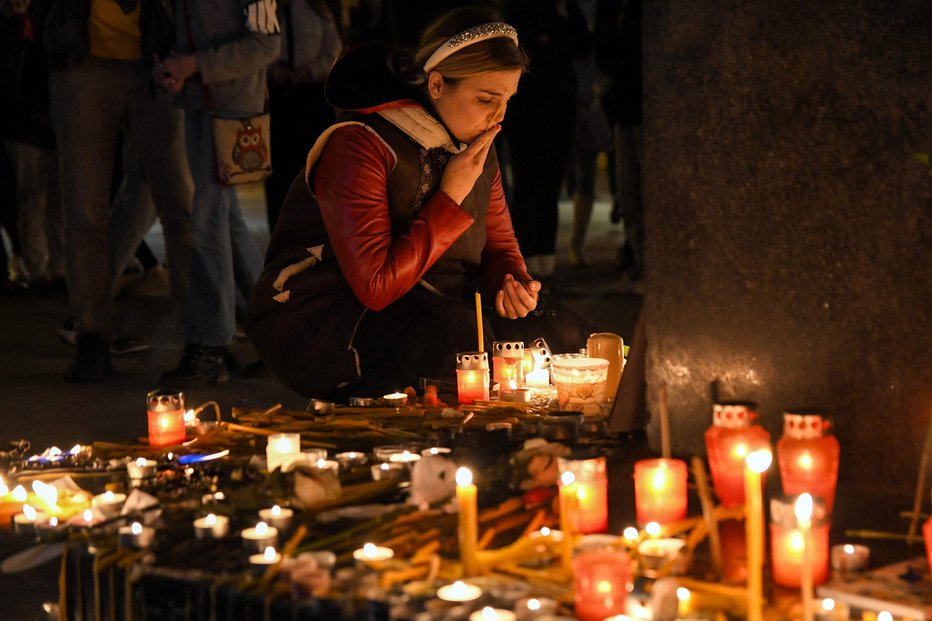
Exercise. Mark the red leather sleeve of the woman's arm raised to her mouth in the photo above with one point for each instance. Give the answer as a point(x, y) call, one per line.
point(350, 183)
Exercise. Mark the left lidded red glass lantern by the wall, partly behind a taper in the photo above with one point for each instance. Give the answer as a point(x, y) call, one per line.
point(728, 441)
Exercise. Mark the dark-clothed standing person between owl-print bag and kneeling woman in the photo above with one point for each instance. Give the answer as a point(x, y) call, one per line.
point(310, 44)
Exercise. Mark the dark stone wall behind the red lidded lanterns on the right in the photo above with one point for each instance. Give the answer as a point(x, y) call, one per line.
point(788, 224)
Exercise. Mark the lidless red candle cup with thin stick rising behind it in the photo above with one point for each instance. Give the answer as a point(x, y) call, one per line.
point(660, 490)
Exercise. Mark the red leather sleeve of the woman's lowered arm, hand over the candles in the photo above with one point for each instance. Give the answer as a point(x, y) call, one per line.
point(501, 254)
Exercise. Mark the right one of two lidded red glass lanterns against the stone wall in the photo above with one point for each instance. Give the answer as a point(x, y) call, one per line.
point(808, 457)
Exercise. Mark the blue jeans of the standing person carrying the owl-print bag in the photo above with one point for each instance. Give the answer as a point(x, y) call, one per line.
point(226, 261)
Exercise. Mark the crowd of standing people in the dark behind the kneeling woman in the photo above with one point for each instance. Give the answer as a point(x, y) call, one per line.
point(101, 138)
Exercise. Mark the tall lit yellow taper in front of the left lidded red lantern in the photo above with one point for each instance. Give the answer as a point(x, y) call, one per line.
point(756, 464)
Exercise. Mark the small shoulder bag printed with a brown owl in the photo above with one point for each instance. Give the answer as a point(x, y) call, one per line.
point(242, 148)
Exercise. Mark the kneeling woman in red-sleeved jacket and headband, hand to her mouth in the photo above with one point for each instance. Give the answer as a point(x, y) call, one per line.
point(398, 217)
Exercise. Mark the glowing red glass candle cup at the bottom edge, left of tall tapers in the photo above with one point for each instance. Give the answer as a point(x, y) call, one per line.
point(601, 583)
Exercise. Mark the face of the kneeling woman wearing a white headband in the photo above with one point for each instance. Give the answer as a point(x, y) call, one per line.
point(473, 104)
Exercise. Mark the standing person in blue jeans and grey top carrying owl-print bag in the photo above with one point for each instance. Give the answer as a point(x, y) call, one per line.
point(217, 67)
